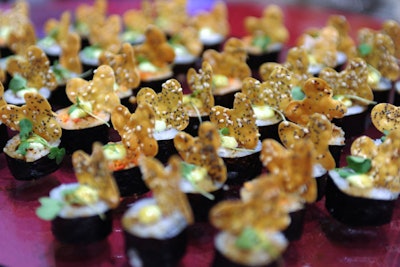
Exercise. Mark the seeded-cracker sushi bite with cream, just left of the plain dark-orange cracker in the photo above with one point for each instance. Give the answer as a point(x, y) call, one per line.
point(269, 100)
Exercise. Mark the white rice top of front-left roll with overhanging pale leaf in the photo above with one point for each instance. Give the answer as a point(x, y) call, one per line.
point(73, 211)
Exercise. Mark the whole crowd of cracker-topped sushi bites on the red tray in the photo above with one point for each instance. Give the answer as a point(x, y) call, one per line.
point(227, 152)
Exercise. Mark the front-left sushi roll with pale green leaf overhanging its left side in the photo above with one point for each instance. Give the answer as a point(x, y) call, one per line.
point(81, 213)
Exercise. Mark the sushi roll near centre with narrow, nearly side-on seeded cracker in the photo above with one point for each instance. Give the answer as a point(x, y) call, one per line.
point(200, 100)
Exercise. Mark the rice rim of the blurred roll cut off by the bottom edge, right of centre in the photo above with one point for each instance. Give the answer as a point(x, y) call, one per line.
point(225, 243)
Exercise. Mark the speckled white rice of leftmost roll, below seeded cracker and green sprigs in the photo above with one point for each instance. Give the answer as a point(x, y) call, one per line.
point(32, 154)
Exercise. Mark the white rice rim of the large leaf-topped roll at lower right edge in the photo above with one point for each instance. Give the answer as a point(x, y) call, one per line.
point(372, 193)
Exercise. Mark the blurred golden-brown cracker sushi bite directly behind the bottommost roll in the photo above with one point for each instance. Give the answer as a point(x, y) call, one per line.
point(284, 164)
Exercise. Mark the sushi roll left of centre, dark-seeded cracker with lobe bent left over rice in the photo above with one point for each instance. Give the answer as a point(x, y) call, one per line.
point(170, 116)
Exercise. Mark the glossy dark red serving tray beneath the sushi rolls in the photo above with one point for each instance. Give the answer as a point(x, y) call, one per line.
point(25, 240)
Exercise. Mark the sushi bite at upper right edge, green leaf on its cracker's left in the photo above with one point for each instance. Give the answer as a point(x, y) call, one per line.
point(378, 51)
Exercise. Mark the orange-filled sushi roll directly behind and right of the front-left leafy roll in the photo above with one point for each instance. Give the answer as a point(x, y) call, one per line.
point(136, 133)
